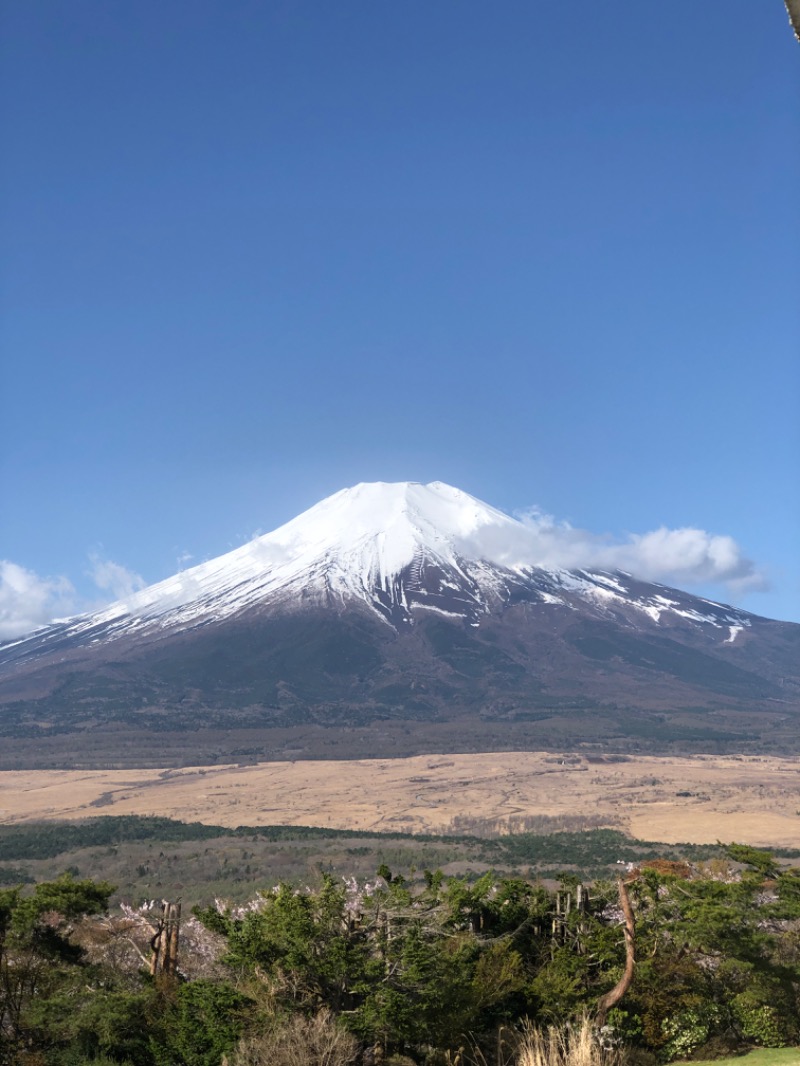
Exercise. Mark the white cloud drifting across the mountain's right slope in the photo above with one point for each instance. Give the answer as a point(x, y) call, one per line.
point(681, 557)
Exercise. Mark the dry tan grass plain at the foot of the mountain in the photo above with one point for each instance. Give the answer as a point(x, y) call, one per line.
point(694, 799)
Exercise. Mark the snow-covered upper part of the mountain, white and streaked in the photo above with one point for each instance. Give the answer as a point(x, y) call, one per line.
point(397, 550)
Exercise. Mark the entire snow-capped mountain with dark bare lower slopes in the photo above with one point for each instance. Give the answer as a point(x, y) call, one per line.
point(396, 619)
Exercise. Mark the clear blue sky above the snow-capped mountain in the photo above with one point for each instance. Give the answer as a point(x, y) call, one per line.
point(253, 253)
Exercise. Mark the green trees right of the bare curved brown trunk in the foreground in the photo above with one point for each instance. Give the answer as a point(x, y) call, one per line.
point(719, 958)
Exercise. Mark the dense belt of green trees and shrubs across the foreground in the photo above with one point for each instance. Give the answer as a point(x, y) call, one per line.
point(419, 970)
